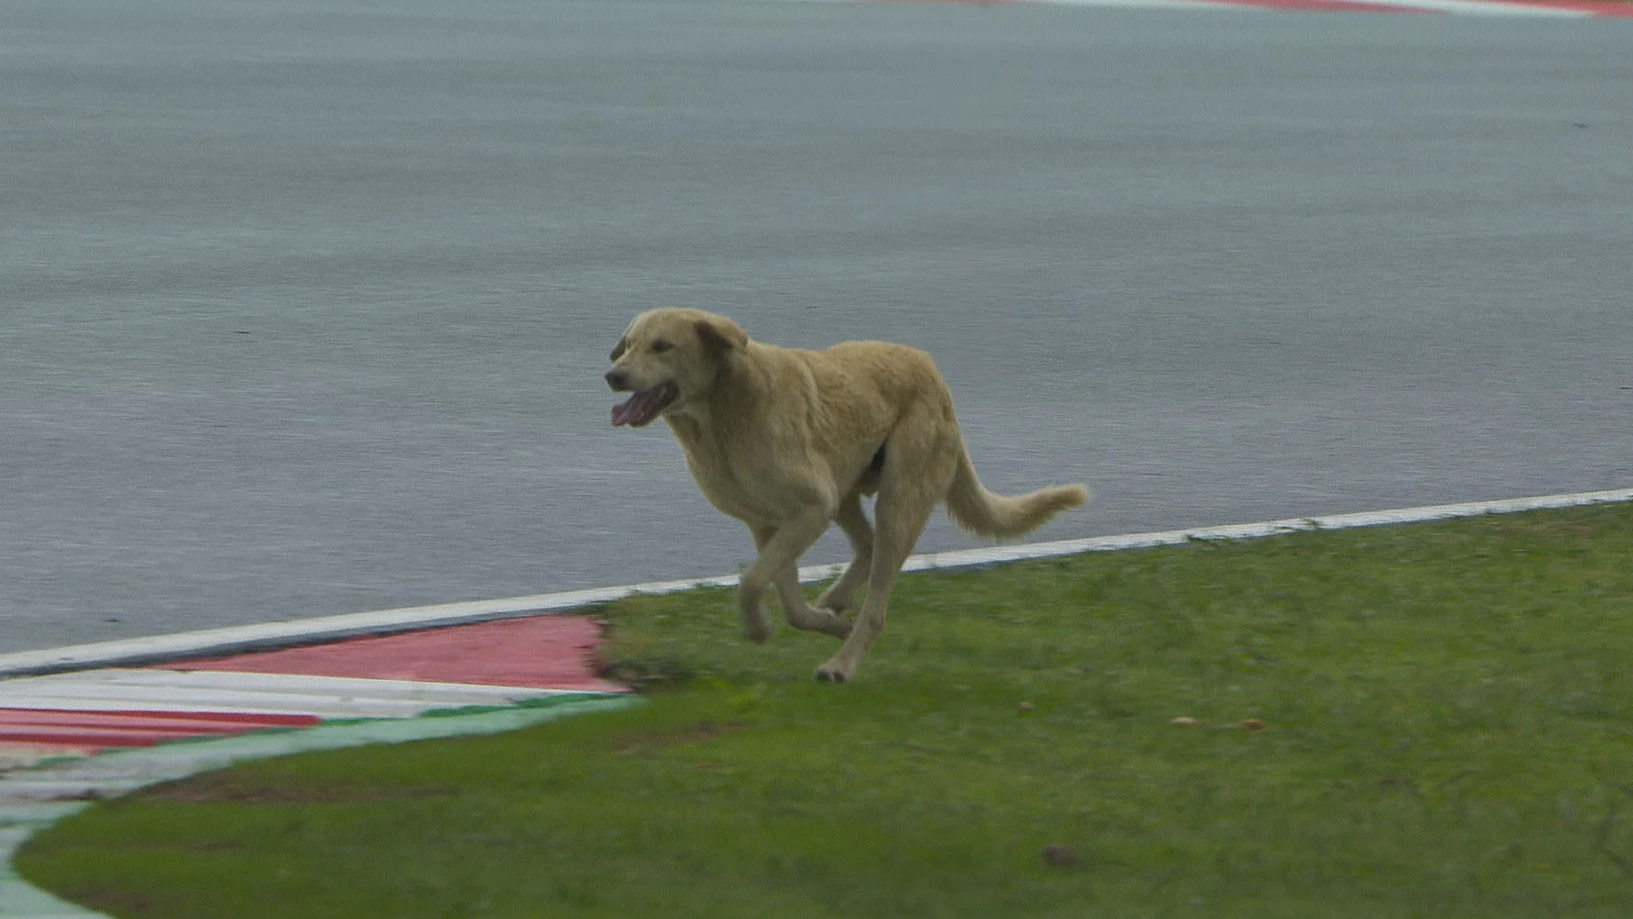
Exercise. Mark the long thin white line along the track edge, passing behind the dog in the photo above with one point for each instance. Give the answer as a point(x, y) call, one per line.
point(407, 619)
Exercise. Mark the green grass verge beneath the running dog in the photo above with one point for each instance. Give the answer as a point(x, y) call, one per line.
point(1448, 732)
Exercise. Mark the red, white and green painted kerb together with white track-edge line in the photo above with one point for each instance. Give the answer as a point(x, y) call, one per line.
point(92, 722)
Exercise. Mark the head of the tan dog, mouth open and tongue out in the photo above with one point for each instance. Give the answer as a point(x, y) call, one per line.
point(670, 360)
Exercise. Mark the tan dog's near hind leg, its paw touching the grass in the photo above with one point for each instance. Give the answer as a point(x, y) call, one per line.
point(919, 471)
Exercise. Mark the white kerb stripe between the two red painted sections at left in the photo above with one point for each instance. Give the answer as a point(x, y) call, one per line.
point(252, 693)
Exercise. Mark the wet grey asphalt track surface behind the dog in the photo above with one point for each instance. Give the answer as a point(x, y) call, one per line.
point(305, 306)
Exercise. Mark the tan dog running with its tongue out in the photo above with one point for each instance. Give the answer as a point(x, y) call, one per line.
point(790, 442)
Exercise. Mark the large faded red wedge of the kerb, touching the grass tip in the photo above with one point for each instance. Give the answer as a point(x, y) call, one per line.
point(545, 652)
